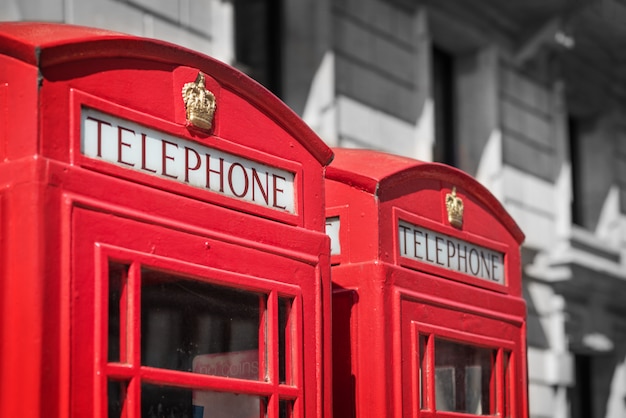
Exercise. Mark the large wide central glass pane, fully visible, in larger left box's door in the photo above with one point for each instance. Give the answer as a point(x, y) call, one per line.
point(190, 325)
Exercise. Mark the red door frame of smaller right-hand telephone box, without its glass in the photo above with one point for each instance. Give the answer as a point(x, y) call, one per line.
point(436, 316)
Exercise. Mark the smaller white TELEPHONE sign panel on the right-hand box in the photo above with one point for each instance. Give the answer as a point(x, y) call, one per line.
point(427, 246)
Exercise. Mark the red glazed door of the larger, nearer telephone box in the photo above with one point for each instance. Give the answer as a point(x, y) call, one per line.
point(176, 327)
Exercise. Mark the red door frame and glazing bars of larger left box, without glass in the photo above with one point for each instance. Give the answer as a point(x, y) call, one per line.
point(102, 242)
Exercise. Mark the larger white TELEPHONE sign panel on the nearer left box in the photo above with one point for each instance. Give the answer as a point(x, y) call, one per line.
point(136, 147)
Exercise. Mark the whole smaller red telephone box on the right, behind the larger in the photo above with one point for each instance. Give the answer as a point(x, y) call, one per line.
point(428, 316)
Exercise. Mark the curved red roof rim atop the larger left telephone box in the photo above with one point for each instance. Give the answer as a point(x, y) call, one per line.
point(47, 44)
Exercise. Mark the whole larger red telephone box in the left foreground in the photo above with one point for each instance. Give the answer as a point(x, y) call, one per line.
point(156, 255)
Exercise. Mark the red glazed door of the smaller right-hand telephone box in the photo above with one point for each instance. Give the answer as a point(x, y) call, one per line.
point(459, 361)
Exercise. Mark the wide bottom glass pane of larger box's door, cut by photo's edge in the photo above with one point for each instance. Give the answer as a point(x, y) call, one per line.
point(171, 402)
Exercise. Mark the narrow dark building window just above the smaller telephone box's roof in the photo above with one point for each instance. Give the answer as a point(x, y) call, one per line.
point(443, 87)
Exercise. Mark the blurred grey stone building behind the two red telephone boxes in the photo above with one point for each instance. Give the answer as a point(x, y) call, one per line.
point(528, 96)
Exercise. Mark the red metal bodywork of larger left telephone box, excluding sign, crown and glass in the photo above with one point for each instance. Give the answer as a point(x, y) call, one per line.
point(60, 211)
